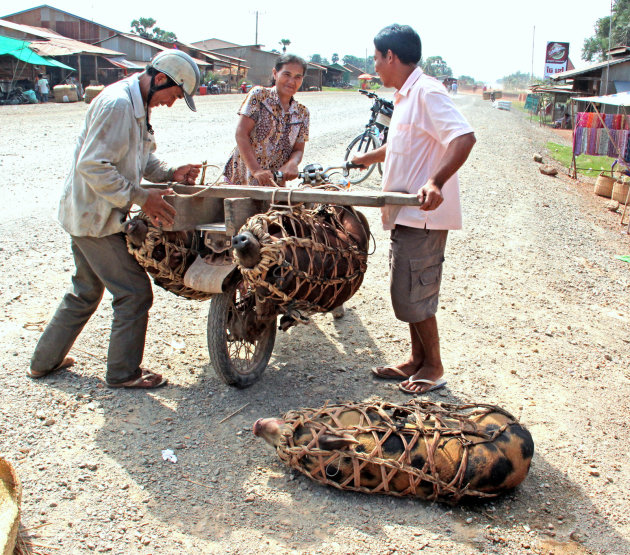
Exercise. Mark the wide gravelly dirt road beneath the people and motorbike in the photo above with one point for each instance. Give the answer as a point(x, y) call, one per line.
point(534, 317)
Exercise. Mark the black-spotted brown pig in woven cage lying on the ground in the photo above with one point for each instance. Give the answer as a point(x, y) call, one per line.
point(433, 451)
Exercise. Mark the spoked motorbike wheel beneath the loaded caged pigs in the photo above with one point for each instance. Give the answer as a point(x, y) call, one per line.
point(239, 345)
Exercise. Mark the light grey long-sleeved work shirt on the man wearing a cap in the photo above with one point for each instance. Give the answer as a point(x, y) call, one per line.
point(114, 152)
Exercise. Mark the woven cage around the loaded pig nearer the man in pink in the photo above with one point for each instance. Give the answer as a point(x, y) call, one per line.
point(309, 262)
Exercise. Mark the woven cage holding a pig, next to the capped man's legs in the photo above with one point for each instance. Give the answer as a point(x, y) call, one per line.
point(166, 255)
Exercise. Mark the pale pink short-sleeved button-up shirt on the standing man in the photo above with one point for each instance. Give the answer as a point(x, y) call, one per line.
point(424, 122)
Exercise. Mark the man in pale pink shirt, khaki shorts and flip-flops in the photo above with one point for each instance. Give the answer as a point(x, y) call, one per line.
point(428, 142)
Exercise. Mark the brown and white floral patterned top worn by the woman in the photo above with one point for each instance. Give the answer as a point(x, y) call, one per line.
point(274, 136)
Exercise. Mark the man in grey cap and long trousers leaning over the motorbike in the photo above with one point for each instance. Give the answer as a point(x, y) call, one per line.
point(114, 152)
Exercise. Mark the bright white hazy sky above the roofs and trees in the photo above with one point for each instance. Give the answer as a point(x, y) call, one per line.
point(485, 40)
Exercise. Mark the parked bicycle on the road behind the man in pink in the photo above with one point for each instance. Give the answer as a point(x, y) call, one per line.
point(374, 135)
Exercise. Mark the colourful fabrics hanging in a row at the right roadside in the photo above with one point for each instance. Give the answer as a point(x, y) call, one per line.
point(602, 135)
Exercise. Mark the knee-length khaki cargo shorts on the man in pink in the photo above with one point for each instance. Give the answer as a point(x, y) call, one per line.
point(415, 266)
